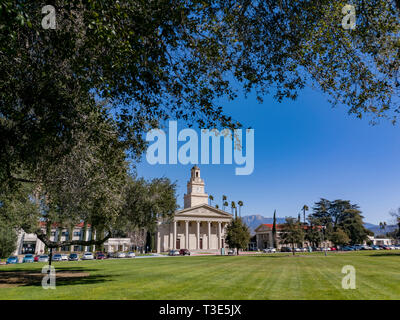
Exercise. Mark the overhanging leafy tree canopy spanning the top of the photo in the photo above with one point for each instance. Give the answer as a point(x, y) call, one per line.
point(154, 60)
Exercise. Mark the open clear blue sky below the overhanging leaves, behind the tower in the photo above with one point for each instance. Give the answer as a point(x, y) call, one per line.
point(304, 150)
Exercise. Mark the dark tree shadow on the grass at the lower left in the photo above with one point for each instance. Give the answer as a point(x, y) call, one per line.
point(64, 276)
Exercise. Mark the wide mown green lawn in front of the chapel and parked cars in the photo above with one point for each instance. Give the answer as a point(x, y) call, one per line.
point(268, 276)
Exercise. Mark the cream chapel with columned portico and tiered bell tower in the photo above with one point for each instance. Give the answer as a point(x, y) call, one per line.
point(198, 227)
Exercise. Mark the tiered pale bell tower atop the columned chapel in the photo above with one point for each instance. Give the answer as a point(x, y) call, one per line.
point(195, 190)
